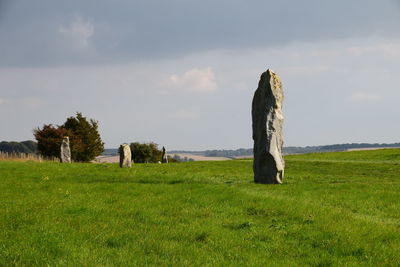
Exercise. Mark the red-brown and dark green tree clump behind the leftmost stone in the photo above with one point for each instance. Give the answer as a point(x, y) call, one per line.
point(85, 141)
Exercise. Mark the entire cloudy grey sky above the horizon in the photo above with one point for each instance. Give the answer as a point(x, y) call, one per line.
point(182, 73)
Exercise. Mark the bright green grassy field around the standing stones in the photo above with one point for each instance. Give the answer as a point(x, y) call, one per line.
point(333, 209)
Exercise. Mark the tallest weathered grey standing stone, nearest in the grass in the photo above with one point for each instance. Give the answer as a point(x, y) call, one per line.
point(267, 117)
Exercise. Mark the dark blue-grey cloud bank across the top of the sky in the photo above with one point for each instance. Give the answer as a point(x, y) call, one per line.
point(141, 30)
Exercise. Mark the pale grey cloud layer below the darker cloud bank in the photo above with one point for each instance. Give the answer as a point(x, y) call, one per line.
point(333, 94)
